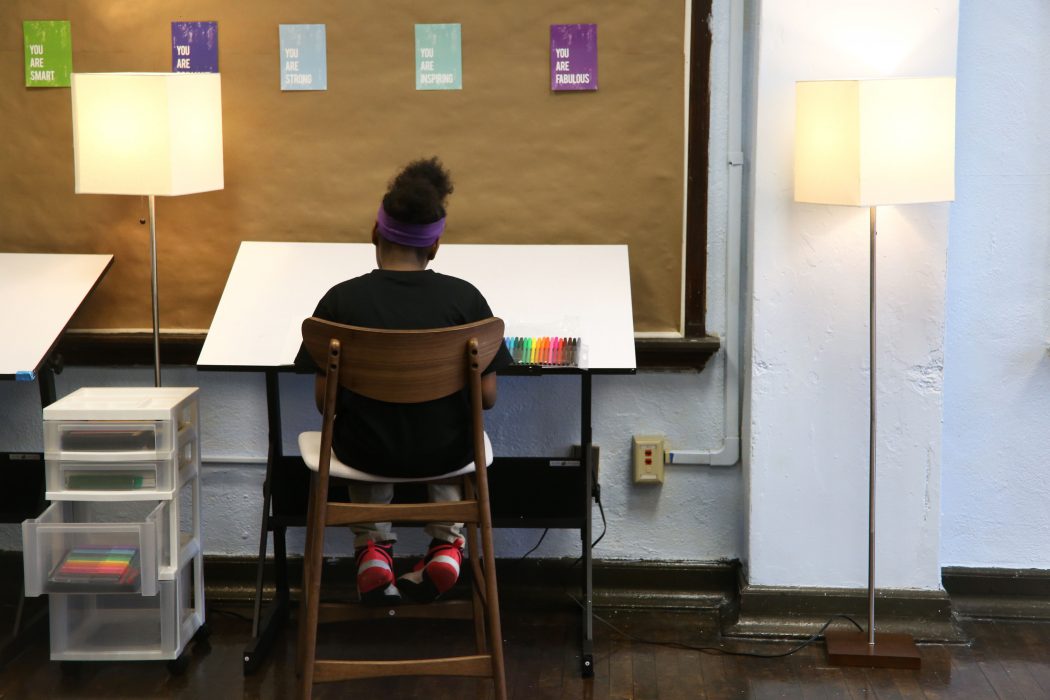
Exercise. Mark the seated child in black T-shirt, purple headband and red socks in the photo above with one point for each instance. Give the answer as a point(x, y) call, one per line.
point(407, 440)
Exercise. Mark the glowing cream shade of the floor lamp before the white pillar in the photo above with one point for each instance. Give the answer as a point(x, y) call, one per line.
point(875, 142)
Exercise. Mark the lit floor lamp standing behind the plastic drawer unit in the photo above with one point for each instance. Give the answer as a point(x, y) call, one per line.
point(149, 135)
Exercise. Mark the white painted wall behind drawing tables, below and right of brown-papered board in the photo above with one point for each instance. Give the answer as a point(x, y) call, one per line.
point(696, 516)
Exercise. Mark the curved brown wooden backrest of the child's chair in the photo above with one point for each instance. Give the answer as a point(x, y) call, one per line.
point(403, 367)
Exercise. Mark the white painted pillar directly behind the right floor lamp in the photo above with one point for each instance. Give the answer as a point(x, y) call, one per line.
point(808, 422)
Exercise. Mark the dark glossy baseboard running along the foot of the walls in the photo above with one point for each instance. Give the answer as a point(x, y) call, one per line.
point(712, 588)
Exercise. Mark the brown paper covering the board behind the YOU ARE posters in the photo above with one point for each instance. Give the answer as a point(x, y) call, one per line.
point(530, 166)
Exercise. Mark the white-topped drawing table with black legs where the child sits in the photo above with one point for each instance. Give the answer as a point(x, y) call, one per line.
point(566, 291)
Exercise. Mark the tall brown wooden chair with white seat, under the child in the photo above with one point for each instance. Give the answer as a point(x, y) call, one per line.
point(402, 367)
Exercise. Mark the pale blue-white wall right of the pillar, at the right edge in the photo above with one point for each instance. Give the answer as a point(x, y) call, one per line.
point(997, 417)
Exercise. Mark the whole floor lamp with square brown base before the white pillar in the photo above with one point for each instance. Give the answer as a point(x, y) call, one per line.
point(864, 144)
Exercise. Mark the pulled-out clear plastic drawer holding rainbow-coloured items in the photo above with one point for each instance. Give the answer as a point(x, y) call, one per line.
point(95, 548)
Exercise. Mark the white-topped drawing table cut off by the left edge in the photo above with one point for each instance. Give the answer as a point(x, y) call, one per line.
point(39, 294)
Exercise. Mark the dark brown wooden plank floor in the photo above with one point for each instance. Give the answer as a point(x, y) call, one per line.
point(1007, 660)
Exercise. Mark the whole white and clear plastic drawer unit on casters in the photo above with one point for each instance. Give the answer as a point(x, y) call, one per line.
point(119, 553)
